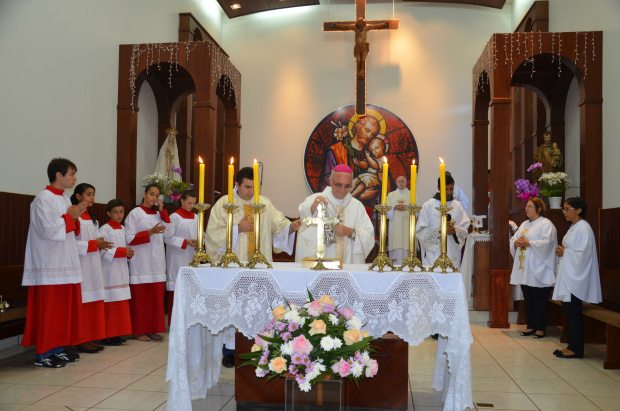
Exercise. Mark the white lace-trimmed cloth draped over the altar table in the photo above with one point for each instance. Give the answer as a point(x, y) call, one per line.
point(411, 305)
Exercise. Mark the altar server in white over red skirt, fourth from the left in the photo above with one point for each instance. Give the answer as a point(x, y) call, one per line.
point(145, 229)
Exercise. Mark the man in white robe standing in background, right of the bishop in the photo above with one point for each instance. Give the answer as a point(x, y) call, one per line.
point(398, 234)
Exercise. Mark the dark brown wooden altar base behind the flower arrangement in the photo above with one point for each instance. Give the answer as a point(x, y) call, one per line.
point(388, 390)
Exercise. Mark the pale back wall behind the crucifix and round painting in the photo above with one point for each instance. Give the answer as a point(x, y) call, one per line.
point(294, 75)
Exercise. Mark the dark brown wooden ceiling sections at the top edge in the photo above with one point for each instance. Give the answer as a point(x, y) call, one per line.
point(257, 6)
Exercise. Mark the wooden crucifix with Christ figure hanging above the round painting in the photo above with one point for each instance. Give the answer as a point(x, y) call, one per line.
point(361, 27)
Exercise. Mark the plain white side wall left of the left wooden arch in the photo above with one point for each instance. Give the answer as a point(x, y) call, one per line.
point(59, 81)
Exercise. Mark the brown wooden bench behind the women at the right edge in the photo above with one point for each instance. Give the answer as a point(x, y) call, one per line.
point(601, 325)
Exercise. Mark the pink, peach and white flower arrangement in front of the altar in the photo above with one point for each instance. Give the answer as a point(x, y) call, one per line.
point(311, 343)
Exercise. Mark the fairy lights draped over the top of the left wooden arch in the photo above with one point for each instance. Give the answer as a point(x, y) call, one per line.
point(152, 52)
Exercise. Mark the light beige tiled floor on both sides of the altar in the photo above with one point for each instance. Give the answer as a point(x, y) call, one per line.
point(509, 372)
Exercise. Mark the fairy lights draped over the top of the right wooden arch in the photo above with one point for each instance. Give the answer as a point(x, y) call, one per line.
point(512, 49)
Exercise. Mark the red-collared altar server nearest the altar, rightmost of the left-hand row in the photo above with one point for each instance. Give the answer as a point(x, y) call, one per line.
point(181, 244)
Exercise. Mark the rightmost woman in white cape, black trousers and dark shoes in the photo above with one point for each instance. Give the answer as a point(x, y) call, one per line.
point(578, 278)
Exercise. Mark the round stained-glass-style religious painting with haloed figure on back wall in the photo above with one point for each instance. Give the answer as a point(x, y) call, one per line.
point(361, 142)
